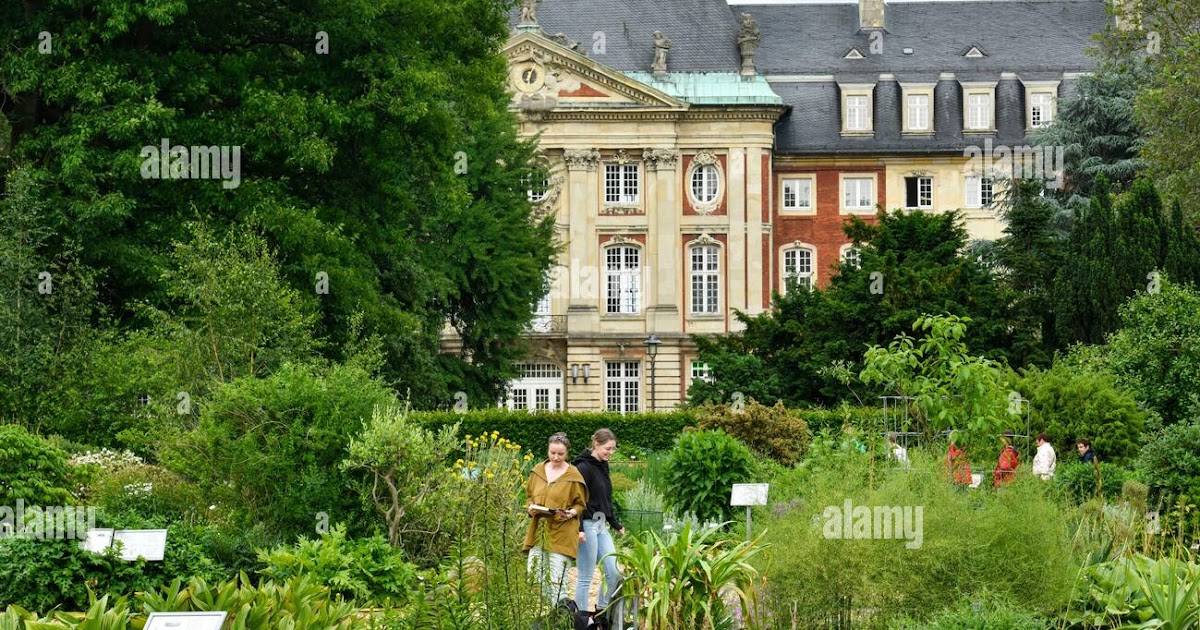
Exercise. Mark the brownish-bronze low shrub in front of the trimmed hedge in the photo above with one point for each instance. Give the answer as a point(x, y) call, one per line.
point(771, 431)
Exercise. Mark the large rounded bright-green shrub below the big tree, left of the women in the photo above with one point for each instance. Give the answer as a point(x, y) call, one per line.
point(290, 430)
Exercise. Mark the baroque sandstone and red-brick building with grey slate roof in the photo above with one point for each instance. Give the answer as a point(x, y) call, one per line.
point(703, 157)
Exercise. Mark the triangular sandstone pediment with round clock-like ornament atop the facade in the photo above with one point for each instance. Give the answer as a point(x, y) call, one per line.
point(544, 75)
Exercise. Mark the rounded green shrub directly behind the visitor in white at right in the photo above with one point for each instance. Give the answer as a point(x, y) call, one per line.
point(1070, 404)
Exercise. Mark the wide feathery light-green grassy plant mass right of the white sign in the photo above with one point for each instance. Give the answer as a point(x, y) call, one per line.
point(1012, 542)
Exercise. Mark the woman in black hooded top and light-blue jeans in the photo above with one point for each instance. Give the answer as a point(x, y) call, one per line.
point(597, 544)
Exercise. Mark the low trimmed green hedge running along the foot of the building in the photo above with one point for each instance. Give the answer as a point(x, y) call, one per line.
point(651, 431)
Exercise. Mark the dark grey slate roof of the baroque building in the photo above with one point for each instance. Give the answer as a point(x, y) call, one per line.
point(803, 51)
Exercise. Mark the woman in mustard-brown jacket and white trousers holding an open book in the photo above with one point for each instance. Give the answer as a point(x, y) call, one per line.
point(554, 537)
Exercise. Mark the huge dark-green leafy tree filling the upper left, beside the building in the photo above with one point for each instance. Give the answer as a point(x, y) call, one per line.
point(376, 153)
